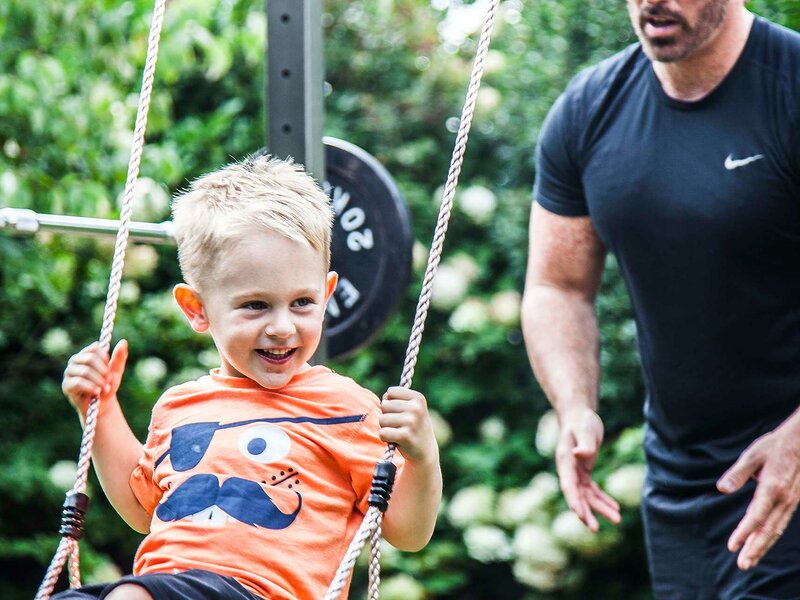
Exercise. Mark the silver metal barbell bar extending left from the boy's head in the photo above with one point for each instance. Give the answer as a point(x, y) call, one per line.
point(28, 222)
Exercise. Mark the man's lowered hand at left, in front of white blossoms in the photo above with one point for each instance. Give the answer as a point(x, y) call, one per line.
point(579, 439)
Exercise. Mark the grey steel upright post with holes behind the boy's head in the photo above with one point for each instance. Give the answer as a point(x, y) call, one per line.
point(295, 76)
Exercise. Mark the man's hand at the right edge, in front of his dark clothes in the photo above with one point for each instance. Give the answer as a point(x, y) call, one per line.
point(773, 460)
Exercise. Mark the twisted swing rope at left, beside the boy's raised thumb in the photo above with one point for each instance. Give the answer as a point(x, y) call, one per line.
point(77, 501)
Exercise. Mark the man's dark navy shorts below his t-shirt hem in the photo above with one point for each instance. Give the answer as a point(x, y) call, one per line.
point(687, 535)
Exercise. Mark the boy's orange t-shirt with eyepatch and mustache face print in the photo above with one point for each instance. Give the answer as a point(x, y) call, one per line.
point(266, 486)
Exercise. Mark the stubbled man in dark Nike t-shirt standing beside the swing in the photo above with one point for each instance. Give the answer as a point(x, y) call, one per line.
point(681, 155)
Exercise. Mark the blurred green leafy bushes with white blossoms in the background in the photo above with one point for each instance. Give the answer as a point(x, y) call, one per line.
point(69, 77)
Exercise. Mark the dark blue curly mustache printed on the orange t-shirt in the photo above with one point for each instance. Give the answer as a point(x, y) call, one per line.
point(244, 500)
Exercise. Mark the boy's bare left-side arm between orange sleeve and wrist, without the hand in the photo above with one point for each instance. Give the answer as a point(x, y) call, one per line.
point(116, 453)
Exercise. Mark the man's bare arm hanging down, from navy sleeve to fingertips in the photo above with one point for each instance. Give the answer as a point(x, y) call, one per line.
point(565, 264)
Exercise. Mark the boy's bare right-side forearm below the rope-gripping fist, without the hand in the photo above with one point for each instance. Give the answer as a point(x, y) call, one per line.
point(409, 521)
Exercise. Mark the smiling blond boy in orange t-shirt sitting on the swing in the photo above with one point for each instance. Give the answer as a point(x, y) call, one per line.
point(254, 479)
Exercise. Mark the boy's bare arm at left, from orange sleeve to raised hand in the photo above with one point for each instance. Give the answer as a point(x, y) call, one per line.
point(116, 450)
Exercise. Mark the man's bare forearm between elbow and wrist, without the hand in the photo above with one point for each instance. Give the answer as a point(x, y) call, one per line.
point(562, 341)
